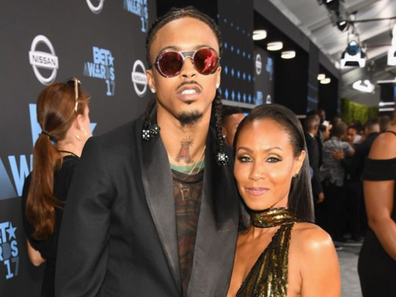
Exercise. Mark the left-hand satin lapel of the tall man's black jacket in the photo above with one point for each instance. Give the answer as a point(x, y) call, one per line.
point(158, 186)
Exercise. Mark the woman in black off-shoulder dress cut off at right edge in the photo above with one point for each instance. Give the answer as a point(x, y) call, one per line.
point(377, 259)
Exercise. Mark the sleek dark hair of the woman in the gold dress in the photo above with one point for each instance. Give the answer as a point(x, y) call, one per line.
point(300, 201)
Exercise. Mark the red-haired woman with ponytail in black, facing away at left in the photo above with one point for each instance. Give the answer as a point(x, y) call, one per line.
point(62, 112)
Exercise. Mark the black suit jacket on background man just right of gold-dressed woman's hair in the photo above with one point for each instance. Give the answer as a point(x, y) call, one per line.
point(314, 161)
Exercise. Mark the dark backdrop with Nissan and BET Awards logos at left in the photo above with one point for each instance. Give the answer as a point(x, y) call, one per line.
point(45, 41)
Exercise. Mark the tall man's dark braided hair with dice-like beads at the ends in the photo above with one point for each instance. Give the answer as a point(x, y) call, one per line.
point(150, 130)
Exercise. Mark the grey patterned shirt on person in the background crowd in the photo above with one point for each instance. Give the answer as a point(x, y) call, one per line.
point(331, 169)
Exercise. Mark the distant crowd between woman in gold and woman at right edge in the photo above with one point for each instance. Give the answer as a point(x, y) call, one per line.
point(337, 163)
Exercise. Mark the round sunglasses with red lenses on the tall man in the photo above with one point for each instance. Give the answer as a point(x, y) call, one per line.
point(169, 63)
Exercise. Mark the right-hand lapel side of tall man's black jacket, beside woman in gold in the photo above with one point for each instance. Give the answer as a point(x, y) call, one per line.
point(217, 229)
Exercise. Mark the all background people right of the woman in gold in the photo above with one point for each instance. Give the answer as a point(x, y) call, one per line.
point(352, 176)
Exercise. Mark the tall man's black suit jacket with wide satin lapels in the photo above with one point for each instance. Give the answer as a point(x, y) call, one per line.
point(118, 235)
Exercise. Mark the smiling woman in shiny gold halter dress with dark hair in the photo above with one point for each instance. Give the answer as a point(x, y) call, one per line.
point(280, 251)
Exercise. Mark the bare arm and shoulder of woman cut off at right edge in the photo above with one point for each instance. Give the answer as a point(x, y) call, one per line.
point(379, 195)
